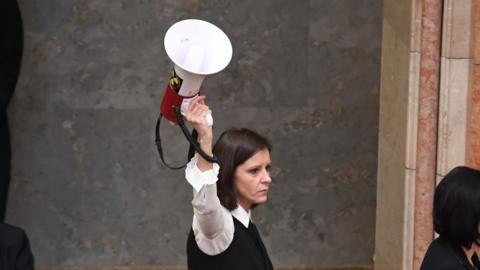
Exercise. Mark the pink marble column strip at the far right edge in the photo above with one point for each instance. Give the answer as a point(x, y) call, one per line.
point(473, 131)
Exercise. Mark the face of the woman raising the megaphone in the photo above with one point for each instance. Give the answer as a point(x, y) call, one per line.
point(252, 178)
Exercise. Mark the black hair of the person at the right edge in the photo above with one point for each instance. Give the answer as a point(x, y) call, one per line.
point(456, 207)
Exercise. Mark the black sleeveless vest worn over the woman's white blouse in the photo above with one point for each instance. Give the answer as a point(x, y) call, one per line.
point(246, 252)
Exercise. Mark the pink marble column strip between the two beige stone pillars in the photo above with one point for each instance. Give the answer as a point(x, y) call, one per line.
point(427, 127)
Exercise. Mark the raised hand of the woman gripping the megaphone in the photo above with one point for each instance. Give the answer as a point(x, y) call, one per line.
point(197, 113)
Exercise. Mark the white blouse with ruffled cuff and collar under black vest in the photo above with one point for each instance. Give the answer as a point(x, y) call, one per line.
point(212, 223)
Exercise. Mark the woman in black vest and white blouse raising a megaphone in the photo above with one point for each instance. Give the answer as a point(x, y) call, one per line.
point(222, 234)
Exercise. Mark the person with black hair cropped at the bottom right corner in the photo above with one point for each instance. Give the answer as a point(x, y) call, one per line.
point(456, 216)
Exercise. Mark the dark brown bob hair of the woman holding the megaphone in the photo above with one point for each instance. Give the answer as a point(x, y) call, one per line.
point(232, 149)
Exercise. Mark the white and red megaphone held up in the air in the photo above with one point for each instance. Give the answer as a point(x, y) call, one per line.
point(197, 48)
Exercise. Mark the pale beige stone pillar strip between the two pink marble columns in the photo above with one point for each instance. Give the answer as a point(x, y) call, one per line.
point(455, 77)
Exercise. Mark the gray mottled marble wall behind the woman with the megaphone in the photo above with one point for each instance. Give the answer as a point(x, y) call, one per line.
point(88, 185)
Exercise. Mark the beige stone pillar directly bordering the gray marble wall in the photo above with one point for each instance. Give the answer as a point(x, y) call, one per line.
point(397, 134)
